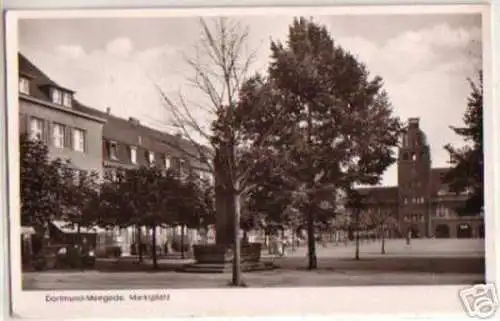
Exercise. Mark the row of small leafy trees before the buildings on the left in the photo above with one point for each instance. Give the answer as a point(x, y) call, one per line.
point(142, 197)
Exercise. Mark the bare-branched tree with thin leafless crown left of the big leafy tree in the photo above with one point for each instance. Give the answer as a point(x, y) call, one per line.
point(221, 67)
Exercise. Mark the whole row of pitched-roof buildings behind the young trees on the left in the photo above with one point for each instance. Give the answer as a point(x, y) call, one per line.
point(98, 141)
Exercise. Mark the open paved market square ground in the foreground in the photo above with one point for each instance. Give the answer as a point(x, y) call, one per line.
point(423, 262)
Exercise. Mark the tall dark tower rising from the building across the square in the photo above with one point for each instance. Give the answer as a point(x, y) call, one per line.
point(414, 169)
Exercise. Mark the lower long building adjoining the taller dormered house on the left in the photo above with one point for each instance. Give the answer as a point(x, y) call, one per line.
point(129, 144)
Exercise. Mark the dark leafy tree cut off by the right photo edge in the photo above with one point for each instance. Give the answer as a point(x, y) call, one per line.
point(467, 172)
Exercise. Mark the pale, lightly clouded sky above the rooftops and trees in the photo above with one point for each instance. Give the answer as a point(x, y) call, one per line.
point(425, 61)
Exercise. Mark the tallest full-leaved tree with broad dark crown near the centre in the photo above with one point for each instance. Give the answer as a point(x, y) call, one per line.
point(338, 130)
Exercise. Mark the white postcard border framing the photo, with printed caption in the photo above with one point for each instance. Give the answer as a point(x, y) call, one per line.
point(413, 300)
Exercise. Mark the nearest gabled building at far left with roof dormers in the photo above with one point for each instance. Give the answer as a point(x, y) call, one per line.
point(50, 112)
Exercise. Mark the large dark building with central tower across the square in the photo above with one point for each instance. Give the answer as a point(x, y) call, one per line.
point(422, 203)
